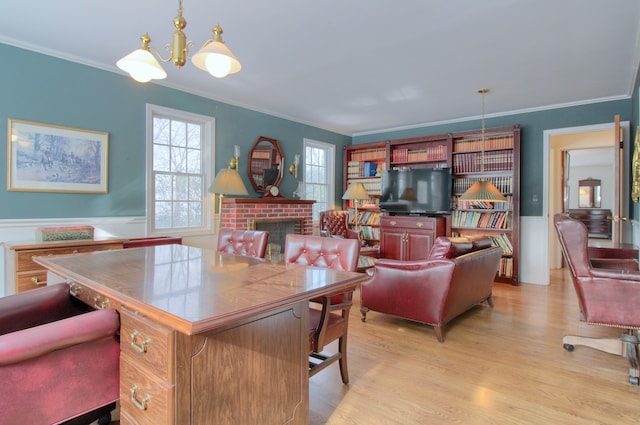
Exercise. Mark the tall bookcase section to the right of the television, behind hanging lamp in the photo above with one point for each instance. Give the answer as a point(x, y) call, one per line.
point(495, 158)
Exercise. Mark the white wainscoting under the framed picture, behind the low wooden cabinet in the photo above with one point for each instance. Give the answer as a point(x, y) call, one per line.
point(104, 227)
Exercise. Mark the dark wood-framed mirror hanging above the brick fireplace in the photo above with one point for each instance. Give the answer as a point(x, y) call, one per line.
point(265, 163)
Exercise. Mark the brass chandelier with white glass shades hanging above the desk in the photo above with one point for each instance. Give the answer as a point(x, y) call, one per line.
point(214, 56)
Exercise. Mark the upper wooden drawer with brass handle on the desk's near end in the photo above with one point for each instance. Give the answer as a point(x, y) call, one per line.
point(147, 343)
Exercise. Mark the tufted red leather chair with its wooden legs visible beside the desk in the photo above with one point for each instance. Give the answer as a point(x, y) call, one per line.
point(331, 320)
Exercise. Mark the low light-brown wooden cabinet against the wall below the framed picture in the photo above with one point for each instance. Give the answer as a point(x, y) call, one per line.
point(22, 274)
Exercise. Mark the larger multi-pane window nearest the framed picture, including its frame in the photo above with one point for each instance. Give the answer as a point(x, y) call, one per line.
point(179, 147)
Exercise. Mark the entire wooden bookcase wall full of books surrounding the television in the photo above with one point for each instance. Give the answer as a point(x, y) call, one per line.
point(463, 152)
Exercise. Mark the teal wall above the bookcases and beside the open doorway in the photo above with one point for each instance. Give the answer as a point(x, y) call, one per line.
point(532, 125)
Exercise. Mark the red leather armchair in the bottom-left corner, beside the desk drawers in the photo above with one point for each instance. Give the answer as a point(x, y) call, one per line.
point(57, 361)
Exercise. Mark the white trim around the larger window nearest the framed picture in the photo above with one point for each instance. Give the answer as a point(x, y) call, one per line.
point(208, 159)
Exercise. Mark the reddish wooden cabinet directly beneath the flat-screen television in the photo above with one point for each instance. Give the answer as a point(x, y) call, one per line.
point(409, 238)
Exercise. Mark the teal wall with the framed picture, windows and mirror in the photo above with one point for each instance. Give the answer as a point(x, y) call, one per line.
point(41, 88)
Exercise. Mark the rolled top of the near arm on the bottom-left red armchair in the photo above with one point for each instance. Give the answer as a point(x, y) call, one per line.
point(34, 342)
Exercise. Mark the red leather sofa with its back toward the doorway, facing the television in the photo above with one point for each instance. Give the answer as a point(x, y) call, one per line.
point(457, 275)
